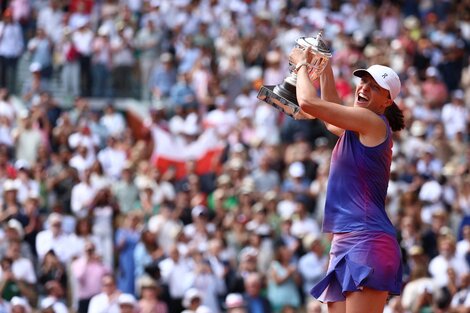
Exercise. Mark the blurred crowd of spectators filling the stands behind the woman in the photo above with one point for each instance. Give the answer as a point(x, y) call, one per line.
point(88, 223)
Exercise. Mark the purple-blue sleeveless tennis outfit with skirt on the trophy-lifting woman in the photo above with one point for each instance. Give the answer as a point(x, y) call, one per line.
point(364, 251)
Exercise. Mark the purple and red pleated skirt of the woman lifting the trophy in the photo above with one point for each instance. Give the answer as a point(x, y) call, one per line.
point(358, 260)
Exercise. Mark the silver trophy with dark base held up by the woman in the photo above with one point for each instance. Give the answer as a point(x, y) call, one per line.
point(283, 96)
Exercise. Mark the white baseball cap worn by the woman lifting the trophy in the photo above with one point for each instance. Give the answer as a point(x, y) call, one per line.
point(384, 76)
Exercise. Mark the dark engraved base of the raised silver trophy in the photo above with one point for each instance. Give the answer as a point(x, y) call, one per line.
point(283, 98)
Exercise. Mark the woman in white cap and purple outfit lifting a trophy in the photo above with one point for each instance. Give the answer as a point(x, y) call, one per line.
point(365, 261)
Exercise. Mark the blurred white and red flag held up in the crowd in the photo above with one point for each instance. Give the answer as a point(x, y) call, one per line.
point(172, 152)
